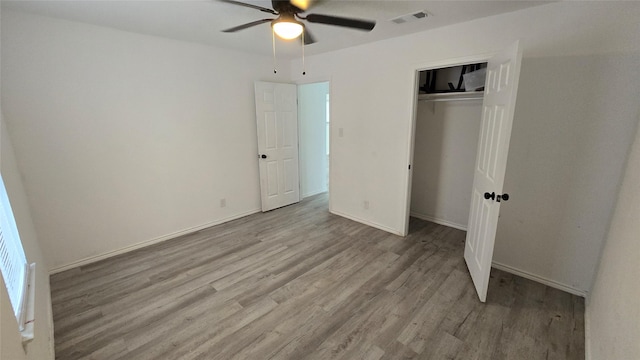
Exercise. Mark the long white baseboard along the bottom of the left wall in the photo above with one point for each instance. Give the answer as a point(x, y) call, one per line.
point(108, 254)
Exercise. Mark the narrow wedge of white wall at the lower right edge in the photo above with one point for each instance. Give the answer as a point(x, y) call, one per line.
point(613, 309)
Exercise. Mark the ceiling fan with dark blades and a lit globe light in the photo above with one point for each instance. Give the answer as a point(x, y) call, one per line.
point(287, 25)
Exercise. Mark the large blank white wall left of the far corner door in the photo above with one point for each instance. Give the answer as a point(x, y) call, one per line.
point(125, 138)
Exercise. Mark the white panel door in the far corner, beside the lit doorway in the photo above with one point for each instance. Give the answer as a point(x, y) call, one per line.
point(277, 121)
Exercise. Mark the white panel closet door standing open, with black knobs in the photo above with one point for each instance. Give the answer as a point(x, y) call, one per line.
point(501, 87)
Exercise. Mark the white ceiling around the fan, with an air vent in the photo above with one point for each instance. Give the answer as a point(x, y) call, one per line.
point(202, 21)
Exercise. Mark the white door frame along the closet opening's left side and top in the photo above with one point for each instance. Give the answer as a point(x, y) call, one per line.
point(415, 76)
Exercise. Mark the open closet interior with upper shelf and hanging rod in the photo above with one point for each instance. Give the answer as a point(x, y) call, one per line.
point(448, 113)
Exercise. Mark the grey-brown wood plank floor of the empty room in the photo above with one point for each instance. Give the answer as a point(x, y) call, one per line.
point(300, 283)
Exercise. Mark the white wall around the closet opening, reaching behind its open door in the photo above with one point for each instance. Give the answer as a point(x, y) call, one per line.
point(372, 91)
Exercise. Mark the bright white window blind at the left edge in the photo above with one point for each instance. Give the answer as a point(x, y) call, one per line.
point(13, 262)
